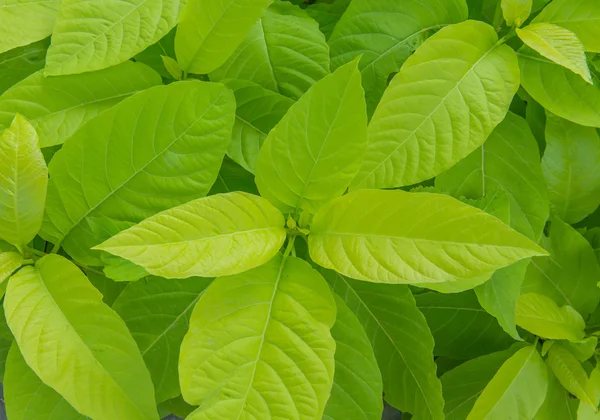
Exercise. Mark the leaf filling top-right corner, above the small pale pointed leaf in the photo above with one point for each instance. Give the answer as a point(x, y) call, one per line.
point(579, 16)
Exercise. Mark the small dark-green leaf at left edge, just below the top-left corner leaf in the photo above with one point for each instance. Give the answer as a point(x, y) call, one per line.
point(17, 64)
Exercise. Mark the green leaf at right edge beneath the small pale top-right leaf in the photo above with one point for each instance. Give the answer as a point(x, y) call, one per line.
point(559, 90)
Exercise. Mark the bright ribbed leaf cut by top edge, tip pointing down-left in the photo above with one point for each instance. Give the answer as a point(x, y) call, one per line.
point(88, 38)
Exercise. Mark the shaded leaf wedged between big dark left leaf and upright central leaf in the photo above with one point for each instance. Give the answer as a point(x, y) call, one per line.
point(258, 111)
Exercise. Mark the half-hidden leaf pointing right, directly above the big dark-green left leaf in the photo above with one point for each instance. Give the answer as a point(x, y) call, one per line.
point(58, 106)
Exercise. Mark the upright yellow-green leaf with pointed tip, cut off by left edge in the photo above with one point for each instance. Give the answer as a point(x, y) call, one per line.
point(22, 183)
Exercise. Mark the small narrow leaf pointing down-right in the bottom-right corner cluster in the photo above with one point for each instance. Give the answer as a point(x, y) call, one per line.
point(569, 372)
